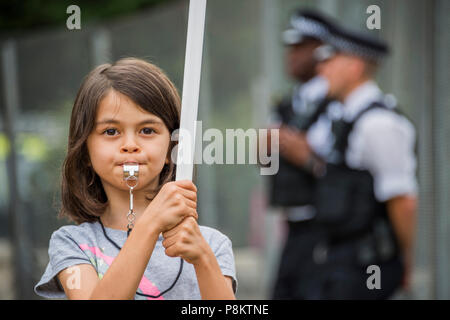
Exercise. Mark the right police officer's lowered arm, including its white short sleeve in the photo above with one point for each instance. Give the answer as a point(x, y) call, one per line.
point(389, 155)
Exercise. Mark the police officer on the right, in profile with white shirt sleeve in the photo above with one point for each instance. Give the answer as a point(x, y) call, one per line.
point(366, 195)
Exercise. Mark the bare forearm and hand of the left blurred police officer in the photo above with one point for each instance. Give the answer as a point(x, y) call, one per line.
point(294, 146)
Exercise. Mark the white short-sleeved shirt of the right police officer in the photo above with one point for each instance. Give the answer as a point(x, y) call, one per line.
point(382, 142)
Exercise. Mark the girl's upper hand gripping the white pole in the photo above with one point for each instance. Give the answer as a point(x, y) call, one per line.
point(175, 201)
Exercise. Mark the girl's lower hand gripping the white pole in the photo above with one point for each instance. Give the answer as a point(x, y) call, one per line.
point(186, 241)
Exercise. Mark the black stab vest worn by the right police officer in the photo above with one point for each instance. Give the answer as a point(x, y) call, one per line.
point(345, 200)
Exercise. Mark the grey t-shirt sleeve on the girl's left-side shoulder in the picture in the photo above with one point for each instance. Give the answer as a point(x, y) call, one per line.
point(63, 252)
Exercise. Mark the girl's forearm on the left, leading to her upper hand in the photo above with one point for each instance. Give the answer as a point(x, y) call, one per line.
point(122, 278)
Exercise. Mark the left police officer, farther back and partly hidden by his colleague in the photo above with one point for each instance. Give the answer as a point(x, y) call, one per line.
point(300, 115)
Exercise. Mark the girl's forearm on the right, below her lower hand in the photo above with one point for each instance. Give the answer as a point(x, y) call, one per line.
point(212, 283)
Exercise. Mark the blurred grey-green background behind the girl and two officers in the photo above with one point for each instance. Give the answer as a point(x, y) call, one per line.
point(43, 64)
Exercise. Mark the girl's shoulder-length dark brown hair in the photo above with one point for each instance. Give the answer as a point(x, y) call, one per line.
point(82, 194)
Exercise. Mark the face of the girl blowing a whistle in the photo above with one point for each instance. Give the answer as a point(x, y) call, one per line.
point(123, 132)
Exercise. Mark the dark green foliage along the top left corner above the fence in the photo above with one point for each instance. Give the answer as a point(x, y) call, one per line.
point(31, 14)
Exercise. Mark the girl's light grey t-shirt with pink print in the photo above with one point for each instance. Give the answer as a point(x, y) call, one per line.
point(86, 244)
